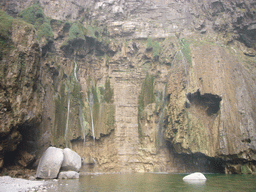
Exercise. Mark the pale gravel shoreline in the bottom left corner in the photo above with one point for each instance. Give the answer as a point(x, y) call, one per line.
point(9, 184)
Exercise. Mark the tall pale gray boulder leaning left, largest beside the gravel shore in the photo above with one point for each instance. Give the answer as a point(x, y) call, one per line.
point(50, 163)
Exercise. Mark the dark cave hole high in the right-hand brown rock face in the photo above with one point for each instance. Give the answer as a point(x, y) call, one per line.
point(208, 101)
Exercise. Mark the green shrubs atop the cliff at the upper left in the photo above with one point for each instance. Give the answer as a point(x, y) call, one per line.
point(35, 16)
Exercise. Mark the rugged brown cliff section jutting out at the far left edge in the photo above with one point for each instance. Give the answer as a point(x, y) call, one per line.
point(20, 96)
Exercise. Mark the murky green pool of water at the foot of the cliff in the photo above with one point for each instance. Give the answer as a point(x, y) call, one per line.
point(155, 182)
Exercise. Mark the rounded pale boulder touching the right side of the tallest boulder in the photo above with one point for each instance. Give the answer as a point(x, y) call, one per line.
point(72, 161)
